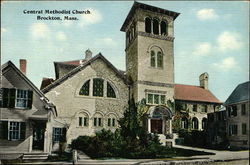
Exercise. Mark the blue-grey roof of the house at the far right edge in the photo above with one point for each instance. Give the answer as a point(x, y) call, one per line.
point(240, 94)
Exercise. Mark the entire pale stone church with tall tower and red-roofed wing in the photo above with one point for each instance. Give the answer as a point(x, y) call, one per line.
point(91, 94)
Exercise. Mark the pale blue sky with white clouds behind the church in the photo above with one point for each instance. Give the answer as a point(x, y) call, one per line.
point(210, 37)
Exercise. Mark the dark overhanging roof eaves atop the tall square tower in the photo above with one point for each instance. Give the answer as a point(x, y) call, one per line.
point(143, 6)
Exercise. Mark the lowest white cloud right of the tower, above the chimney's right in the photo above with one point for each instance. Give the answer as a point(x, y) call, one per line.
point(226, 64)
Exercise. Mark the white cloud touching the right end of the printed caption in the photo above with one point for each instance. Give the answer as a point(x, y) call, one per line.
point(92, 18)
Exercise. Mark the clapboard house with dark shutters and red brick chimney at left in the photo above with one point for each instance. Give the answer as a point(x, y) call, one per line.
point(26, 115)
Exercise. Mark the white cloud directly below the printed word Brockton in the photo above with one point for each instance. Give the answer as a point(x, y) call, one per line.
point(40, 31)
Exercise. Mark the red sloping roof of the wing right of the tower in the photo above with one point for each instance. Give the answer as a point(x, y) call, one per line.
point(194, 93)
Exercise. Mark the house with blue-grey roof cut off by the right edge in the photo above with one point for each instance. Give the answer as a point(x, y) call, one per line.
point(237, 106)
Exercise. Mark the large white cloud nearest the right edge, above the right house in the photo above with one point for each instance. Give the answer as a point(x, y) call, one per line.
point(229, 41)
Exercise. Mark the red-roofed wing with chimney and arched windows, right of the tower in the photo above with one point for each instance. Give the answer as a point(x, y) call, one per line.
point(193, 103)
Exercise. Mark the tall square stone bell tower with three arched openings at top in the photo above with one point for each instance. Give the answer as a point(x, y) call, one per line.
point(150, 52)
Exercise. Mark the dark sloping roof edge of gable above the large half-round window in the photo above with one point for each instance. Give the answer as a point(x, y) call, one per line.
point(81, 67)
